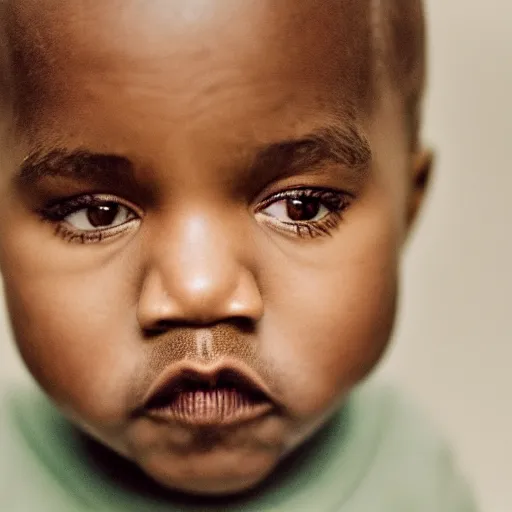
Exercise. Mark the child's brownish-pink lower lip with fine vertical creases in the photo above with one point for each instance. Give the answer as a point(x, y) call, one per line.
point(220, 407)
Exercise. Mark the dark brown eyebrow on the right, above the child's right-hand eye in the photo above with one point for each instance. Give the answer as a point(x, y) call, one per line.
point(342, 145)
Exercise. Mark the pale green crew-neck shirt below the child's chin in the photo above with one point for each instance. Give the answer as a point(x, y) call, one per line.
point(376, 455)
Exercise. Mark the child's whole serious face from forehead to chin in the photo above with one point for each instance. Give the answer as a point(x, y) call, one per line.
point(210, 196)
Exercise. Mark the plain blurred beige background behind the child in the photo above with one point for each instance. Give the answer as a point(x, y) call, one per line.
point(453, 344)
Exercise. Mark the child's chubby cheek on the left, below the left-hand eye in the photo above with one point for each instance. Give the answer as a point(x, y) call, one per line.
point(75, 340)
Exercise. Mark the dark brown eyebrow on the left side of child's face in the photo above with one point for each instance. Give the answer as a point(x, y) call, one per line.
point(78, 165)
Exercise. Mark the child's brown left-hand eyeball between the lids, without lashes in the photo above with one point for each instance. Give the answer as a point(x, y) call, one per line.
point(100, 216)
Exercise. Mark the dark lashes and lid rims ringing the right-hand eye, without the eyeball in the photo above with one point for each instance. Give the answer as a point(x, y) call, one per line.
point(335, 201)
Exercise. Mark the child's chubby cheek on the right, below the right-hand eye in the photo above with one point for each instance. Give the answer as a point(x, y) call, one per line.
point(334, 313)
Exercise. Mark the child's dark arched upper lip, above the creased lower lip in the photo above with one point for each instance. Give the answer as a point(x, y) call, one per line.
point(188, 376)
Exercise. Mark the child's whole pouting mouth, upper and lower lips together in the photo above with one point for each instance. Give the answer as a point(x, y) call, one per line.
point(196, 395)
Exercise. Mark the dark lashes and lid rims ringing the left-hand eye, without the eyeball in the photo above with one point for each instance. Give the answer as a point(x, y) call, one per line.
point(57, 211)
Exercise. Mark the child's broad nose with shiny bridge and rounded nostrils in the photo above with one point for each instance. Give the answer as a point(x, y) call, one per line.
point(196, 276)
